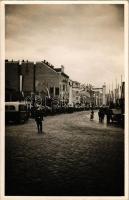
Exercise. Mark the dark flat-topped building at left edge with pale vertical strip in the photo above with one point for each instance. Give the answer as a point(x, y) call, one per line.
point(19, 79)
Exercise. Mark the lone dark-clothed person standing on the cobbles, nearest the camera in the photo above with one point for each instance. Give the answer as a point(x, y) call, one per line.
point(39, 118)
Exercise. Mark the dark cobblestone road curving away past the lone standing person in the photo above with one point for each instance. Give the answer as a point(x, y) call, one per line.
point(74, 157)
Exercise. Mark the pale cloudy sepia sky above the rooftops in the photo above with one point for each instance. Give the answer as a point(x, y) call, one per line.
point(88, 39)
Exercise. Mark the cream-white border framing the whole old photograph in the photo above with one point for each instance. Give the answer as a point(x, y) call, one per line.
point(2, 102)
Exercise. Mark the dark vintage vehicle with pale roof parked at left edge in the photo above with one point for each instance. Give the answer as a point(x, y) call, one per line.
point(16, 112)
